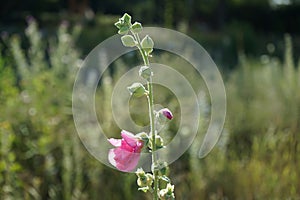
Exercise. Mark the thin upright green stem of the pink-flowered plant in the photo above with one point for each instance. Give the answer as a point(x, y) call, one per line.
point(151, 116)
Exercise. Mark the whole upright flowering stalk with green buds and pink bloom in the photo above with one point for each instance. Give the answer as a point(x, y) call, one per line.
point(126, 155)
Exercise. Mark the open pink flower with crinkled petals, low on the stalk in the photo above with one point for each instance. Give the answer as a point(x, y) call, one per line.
point(127, 154)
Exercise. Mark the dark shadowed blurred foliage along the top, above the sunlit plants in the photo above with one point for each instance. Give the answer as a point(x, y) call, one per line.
point(221, 26)
